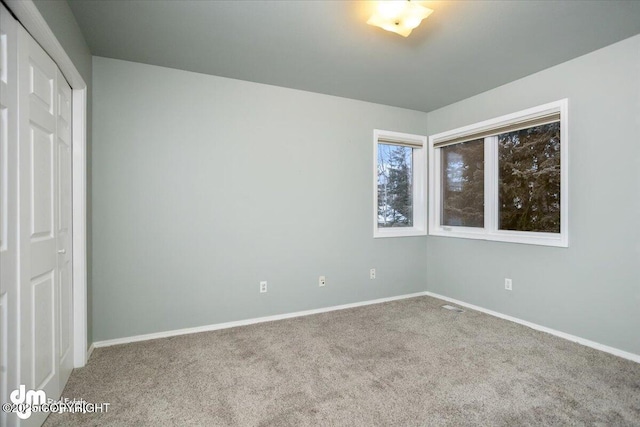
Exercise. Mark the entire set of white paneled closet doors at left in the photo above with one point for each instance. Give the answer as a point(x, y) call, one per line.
point(36, 314)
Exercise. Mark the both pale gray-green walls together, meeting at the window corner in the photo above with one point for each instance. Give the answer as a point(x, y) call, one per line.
point(203, 186)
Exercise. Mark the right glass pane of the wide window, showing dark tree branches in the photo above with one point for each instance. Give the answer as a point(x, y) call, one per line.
point(529, 173)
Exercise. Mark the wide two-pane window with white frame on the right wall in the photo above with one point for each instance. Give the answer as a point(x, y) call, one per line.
point(504, 179)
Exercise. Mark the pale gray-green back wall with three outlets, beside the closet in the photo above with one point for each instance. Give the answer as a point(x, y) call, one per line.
point(203, 186)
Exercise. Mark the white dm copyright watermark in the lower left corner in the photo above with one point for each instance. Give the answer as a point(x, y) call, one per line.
point(25, 402)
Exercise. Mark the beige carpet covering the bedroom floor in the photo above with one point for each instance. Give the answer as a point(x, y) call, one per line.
point(403, 363)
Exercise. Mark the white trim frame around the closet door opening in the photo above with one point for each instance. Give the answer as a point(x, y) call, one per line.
point(29, 16)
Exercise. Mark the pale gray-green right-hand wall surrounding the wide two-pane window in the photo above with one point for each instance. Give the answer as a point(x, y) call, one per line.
point(592, 288)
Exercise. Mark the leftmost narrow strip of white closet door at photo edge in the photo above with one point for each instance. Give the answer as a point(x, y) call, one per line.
point(8, 212)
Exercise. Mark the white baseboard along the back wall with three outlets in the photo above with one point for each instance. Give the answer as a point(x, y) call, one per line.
point(226, 325)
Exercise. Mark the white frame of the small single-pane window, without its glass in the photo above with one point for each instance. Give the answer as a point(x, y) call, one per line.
point(419, 170)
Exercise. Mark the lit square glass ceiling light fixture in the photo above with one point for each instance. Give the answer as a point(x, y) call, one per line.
point(399, 16)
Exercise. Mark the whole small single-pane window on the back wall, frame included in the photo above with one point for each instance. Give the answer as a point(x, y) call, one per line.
point(399, 163)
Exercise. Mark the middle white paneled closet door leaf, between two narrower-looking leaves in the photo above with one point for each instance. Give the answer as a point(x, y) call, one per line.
point(39, 277)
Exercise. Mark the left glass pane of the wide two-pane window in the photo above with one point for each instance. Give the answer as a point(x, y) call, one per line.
point(463, 184)
